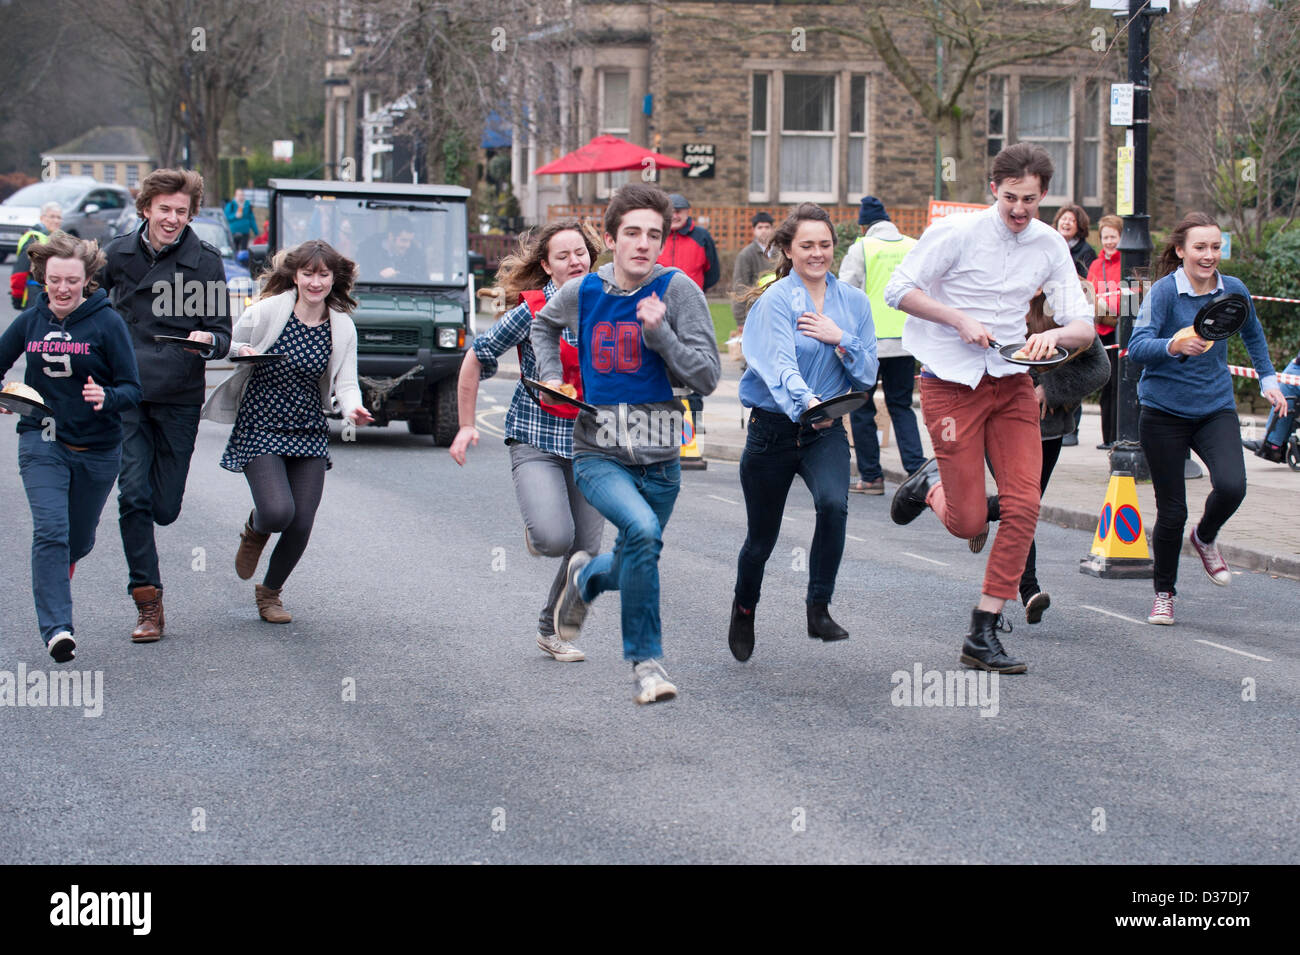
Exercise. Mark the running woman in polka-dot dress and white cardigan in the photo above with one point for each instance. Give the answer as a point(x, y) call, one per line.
point(280, 439)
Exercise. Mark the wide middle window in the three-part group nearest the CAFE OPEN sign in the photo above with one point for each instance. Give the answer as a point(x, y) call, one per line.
point(808, 138)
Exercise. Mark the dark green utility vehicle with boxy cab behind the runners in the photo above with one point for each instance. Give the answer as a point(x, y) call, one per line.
point(415, 303)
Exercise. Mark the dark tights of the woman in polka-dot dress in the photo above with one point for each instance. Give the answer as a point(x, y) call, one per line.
point(285, 496)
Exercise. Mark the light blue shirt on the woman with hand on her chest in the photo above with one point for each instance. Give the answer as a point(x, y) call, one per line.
point(790, 371)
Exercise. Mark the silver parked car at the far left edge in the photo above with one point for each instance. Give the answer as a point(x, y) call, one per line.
point(92, 210)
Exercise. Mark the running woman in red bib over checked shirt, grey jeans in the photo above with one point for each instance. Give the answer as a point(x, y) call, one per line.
point(558, 520)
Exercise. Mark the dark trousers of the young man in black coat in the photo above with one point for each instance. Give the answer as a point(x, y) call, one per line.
point(158, 441)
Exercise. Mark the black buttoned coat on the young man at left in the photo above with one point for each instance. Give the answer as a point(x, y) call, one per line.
point(145, 292)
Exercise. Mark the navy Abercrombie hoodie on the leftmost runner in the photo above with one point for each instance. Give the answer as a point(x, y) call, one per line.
point(92, 342)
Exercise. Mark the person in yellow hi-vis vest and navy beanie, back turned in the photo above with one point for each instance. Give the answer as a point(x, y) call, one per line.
point(868, 266)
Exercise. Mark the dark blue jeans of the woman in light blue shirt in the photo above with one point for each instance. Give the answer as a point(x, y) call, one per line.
point(775, 452)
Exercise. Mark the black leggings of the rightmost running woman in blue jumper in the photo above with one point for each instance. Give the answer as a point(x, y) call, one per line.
point(1165, 440)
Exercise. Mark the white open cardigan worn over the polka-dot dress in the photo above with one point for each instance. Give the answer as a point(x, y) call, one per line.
point(258, 328)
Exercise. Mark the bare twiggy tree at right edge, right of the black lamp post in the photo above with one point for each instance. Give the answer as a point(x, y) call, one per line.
point(1233, 120)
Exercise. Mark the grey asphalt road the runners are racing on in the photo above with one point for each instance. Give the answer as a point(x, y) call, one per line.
point(232, 741)
